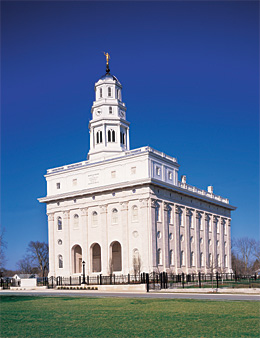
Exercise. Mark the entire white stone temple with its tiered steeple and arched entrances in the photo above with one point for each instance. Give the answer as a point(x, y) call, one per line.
point(125, 210)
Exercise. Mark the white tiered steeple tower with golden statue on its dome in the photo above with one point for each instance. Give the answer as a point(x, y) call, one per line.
point(109, 130)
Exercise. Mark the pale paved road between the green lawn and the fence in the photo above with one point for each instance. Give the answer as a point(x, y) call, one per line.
point(63, 293)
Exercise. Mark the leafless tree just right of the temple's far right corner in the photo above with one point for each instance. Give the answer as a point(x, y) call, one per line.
point(244, 247)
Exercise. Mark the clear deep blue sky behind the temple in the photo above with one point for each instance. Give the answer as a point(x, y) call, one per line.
point(190, 76)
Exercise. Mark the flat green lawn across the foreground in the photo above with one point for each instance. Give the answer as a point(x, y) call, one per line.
point(119, 317)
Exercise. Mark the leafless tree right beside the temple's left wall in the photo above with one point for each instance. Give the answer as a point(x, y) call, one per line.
point(38, 252)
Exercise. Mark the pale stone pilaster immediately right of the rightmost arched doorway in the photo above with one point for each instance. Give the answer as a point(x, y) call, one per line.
point(126, 255)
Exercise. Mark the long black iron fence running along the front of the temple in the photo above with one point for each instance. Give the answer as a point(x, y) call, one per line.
point(153, 281)
